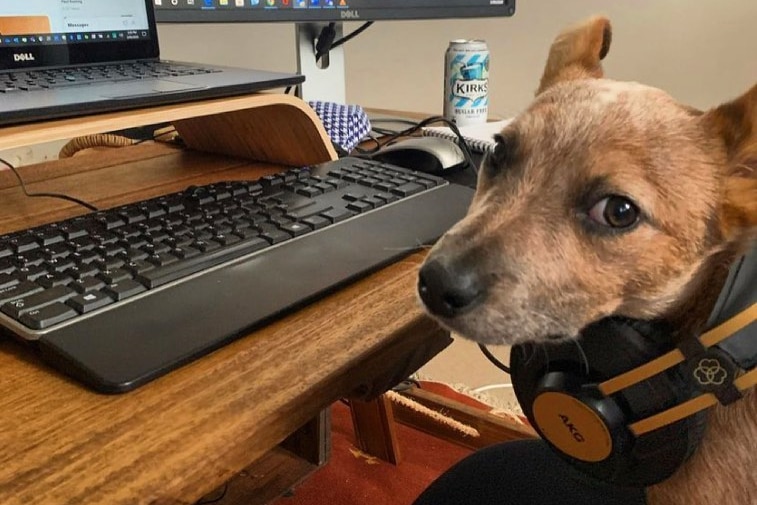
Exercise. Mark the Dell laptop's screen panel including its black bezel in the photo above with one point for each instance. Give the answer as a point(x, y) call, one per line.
point(43, 33)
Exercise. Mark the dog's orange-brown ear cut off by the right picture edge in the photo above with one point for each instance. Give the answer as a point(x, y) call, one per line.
point(735, 123)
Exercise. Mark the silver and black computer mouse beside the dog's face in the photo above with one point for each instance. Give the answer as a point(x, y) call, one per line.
point(432, 155)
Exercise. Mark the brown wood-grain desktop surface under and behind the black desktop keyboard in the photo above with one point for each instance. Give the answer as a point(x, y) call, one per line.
point(181, 436)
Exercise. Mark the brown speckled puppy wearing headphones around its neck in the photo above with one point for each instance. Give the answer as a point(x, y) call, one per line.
point(609, 198)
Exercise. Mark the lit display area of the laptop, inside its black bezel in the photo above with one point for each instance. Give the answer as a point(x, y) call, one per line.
point(31, 22)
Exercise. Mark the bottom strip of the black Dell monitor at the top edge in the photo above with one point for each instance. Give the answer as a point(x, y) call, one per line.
point(325, 10)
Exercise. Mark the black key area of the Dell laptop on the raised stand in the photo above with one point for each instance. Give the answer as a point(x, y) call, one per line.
point(20, 81)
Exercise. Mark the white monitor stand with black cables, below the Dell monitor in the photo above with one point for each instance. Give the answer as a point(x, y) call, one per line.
point(324, 80)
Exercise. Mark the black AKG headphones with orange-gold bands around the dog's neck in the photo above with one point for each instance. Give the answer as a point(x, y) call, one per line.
point(625, 406)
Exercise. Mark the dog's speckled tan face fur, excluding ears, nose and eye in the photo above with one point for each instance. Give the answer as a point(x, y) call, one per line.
point(535, 223)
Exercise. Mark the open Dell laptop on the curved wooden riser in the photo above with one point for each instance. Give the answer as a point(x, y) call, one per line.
point(63, 58)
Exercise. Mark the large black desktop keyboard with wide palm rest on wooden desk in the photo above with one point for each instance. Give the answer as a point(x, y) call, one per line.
point(119, 297)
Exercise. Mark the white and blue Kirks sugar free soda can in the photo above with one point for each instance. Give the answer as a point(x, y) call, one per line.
point(466, 82)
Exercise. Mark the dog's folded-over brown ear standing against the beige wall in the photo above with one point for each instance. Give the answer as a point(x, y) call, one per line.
point(576, 53)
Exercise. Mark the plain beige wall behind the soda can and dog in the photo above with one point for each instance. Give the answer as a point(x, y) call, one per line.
point(701, 51)
